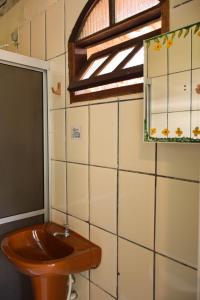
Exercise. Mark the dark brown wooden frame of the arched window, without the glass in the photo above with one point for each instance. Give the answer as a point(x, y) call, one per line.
point(77, 51)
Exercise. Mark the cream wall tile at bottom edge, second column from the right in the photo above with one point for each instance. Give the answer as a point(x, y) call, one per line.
point(136, 272)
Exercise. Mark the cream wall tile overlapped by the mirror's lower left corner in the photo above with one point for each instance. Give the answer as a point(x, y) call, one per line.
point(134, 154)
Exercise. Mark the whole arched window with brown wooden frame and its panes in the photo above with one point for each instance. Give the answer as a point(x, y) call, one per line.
point(106, 46)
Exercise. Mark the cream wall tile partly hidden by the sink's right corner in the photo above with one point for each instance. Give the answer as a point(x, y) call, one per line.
point(105, 276)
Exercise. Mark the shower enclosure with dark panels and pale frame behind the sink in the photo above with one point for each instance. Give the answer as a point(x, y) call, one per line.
point(23, 157)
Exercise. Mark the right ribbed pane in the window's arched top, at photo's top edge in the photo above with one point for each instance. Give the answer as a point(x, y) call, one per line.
point(128, 8)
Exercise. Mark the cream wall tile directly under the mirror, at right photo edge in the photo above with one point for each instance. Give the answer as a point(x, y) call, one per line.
point(179, 160)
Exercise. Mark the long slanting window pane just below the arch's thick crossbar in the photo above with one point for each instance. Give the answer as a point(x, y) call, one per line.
point(125, 37)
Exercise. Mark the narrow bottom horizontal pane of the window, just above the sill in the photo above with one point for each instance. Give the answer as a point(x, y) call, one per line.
point(111, 86)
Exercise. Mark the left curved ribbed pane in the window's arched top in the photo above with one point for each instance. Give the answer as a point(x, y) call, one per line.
point(97, 20)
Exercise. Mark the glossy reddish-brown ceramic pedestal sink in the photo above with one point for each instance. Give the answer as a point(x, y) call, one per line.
point(49, 259)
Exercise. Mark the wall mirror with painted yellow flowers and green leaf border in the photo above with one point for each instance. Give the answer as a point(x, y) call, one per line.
point(172, 86)
